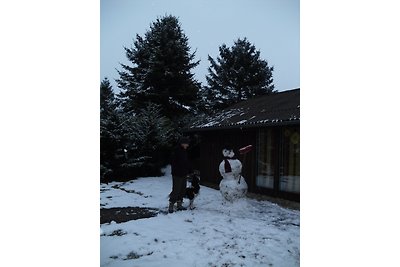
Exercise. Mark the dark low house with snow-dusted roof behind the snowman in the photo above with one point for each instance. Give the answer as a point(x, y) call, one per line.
point(271, 124)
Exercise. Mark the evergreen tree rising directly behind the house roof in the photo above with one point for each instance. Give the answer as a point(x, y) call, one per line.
point(238, 74)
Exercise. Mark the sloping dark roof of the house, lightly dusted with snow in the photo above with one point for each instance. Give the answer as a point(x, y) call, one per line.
point(277, 108)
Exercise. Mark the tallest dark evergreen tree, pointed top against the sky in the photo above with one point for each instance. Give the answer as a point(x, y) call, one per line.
point(160, 72)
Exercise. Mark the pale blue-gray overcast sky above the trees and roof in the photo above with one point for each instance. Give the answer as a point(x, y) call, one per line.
point(273, 26)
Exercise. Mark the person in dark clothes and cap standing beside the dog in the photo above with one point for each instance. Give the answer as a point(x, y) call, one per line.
point(180, 168)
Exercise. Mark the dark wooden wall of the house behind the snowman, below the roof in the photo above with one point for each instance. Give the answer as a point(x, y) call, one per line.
point(209, 150)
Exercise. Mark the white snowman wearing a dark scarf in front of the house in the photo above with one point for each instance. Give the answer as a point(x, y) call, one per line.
point(232, 186)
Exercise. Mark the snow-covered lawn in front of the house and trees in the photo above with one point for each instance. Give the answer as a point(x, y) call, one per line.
point(244, 233)
